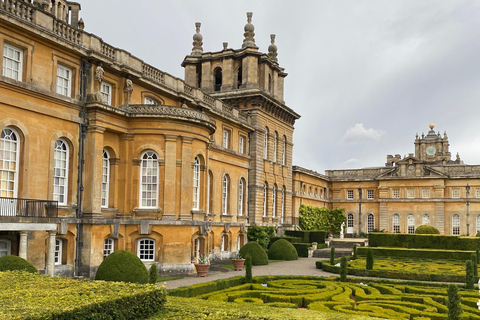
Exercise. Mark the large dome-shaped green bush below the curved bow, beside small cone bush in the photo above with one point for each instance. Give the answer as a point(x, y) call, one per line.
point(123, 266)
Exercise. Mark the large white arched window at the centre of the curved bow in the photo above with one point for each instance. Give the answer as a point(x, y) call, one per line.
point(149, 180)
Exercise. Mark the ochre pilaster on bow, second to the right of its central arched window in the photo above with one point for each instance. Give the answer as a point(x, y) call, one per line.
point(186, 196)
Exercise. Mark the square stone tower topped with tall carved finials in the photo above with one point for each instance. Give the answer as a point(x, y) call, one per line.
point(253, 83)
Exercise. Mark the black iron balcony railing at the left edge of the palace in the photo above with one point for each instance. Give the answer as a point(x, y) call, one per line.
point(17, 207)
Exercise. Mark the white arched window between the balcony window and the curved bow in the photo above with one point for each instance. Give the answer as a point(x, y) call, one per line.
point(60, 172)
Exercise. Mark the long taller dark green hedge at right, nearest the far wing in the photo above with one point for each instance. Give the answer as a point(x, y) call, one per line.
point(423, 241)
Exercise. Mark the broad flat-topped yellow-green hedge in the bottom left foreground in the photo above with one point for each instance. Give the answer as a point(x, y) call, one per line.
point(33, 296)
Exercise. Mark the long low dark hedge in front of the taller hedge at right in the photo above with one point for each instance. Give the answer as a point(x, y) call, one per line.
point(417, 253)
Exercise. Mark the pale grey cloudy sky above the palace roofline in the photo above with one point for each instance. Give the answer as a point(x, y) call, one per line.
point(365, 75)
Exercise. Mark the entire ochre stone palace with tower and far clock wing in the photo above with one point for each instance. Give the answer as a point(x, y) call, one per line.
point(101, 151)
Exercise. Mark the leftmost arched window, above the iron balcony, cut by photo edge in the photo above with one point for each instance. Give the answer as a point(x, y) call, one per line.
point(9, 159)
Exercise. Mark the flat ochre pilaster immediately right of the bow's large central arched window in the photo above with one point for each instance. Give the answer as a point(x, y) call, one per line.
point(170, 187)
